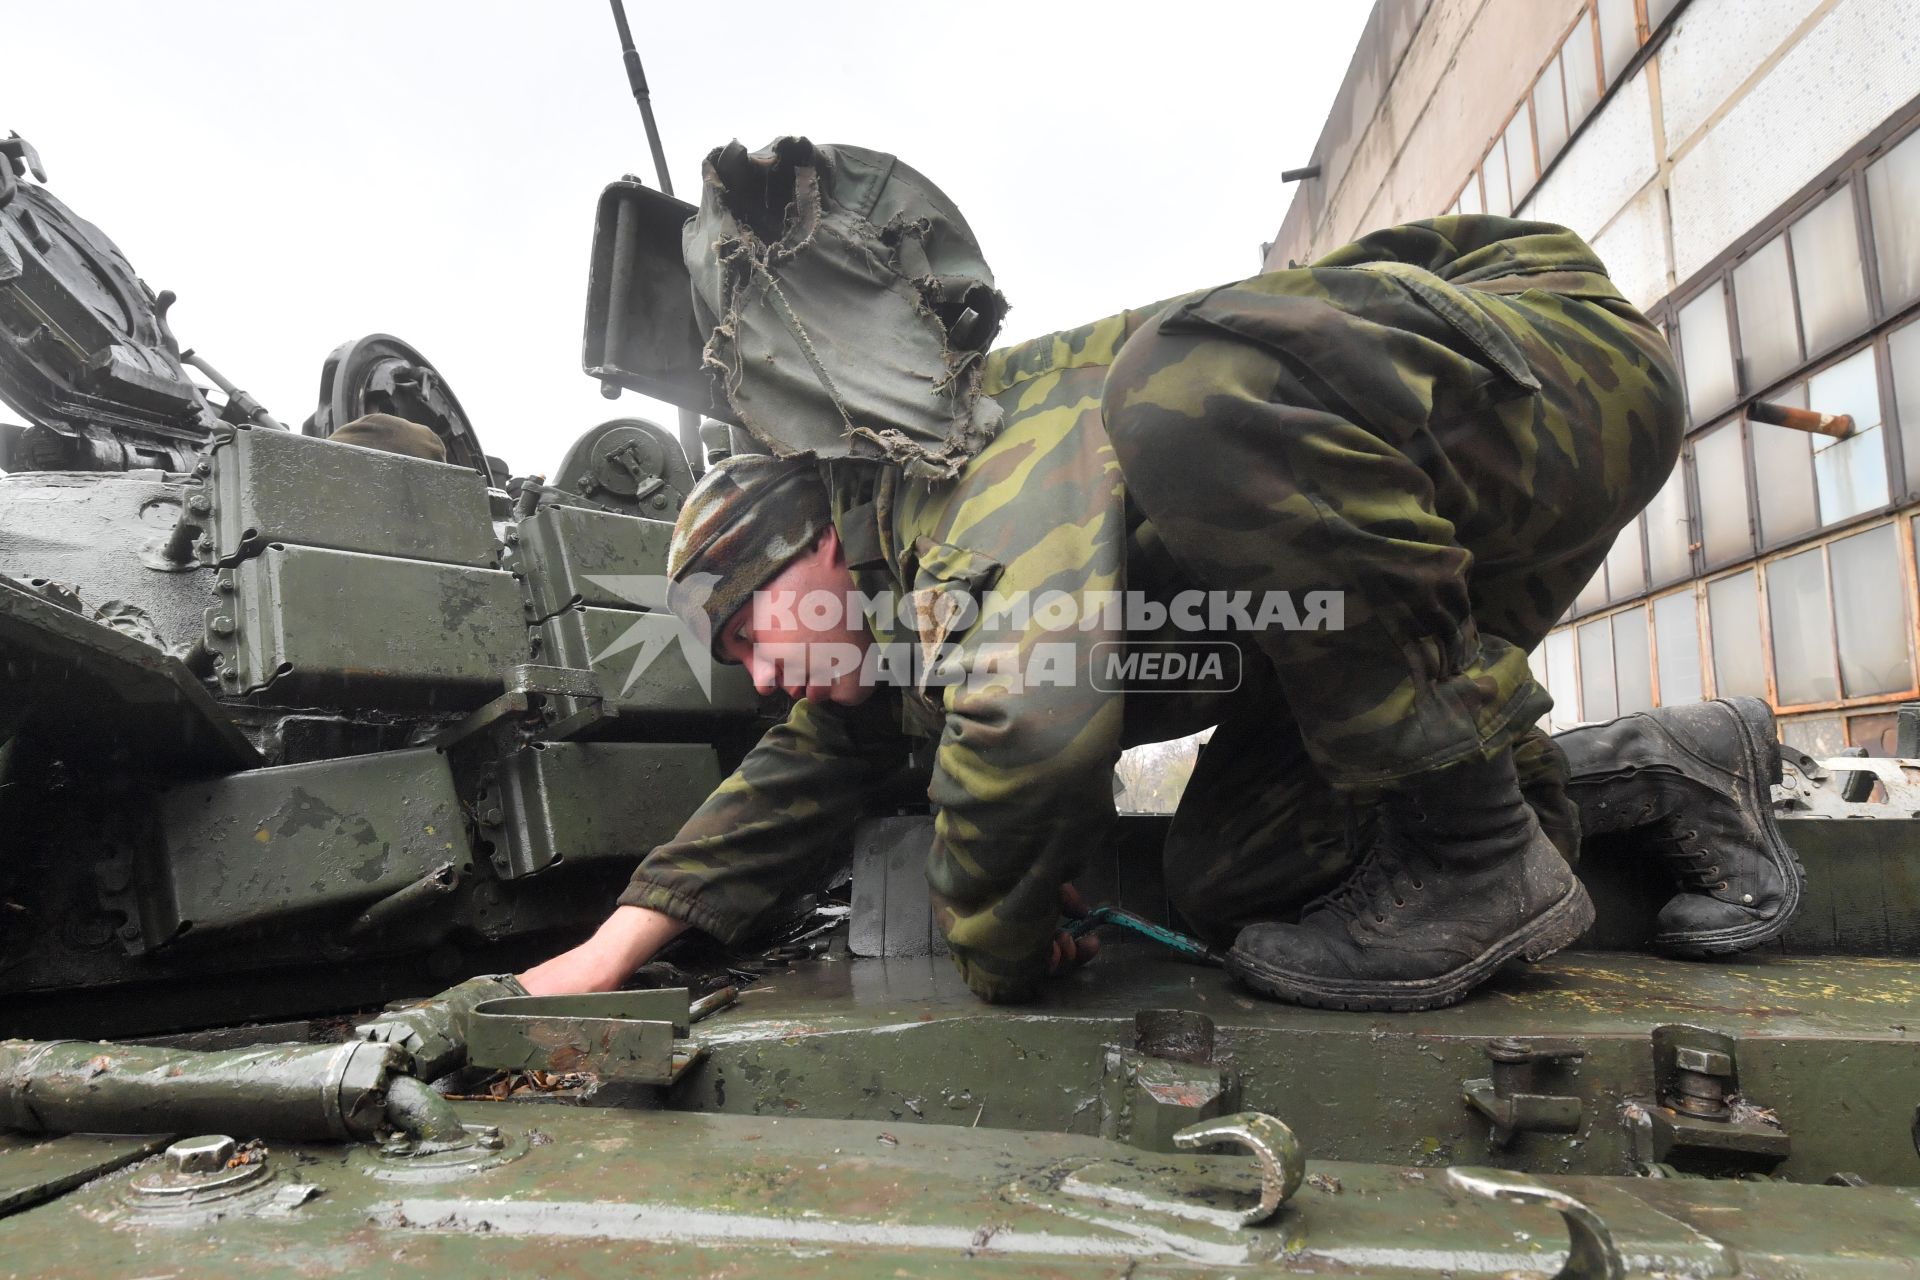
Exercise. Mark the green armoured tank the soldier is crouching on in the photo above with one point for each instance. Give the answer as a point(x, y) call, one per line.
point(295, 728)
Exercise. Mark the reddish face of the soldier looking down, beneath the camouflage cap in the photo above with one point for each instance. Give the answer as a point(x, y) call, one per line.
point(802, 634)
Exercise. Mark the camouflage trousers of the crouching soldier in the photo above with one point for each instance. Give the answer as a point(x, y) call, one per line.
point(1456, 462)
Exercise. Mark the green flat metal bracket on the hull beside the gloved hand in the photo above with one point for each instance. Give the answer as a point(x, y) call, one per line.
point(636, 1037)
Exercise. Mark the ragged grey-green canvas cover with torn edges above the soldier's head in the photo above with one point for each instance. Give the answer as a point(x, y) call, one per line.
point(848, 302)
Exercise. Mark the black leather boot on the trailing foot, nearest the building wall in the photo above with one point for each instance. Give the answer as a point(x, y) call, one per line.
point(1691, 784)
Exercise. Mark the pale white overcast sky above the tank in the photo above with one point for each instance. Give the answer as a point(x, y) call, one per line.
point(308, 174)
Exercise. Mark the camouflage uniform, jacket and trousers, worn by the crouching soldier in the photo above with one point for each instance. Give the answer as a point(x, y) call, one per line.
point(1449, 423)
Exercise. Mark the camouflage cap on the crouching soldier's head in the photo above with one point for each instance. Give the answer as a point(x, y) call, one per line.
point(744, 523)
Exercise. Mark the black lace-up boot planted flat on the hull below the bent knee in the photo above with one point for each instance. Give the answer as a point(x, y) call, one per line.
point(1460, 882)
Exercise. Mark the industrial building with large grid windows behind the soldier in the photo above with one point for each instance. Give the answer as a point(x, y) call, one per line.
point(1750, 174)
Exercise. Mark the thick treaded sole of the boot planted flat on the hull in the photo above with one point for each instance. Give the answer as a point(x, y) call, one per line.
point(1535, 941)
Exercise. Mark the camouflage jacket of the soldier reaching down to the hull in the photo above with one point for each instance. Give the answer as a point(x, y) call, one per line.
point(1026, 732)
